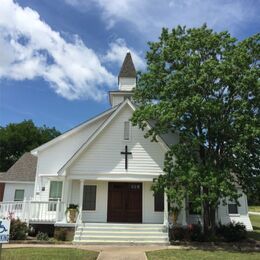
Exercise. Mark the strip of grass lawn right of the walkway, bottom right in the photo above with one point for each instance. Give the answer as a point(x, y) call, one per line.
point(200, 254)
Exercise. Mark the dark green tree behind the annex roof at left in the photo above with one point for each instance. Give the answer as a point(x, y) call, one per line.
point(16, 139)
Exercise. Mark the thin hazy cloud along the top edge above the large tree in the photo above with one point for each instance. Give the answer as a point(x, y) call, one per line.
point(149, 16)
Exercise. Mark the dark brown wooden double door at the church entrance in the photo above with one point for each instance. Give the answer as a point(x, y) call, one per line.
point(124, 202)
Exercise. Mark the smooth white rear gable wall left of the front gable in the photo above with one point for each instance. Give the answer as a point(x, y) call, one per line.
point(54, 157)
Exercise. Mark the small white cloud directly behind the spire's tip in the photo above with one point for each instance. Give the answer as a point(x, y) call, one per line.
point(117, 51)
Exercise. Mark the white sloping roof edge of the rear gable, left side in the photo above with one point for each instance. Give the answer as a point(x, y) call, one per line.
point(73, 130)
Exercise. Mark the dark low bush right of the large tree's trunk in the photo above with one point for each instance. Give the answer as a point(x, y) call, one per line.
point(232, 232)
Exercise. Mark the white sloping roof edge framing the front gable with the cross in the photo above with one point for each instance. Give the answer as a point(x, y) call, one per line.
point(98, 131)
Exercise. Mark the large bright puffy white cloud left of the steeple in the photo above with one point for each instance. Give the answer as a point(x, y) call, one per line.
point(32, 49)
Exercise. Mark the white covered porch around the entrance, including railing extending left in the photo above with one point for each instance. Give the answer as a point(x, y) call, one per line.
point(98, 200)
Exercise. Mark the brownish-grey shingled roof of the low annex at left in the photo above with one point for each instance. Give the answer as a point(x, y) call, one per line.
point(24, 170)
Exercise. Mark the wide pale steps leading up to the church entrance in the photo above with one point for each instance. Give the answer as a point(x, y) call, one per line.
point(91, 233)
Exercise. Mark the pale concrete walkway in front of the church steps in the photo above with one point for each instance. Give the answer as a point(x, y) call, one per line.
point(126, 252)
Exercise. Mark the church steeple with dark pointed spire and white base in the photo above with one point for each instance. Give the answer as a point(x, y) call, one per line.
point(126, 82)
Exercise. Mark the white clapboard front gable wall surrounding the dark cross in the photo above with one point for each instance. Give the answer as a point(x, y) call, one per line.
point(103, 155)
